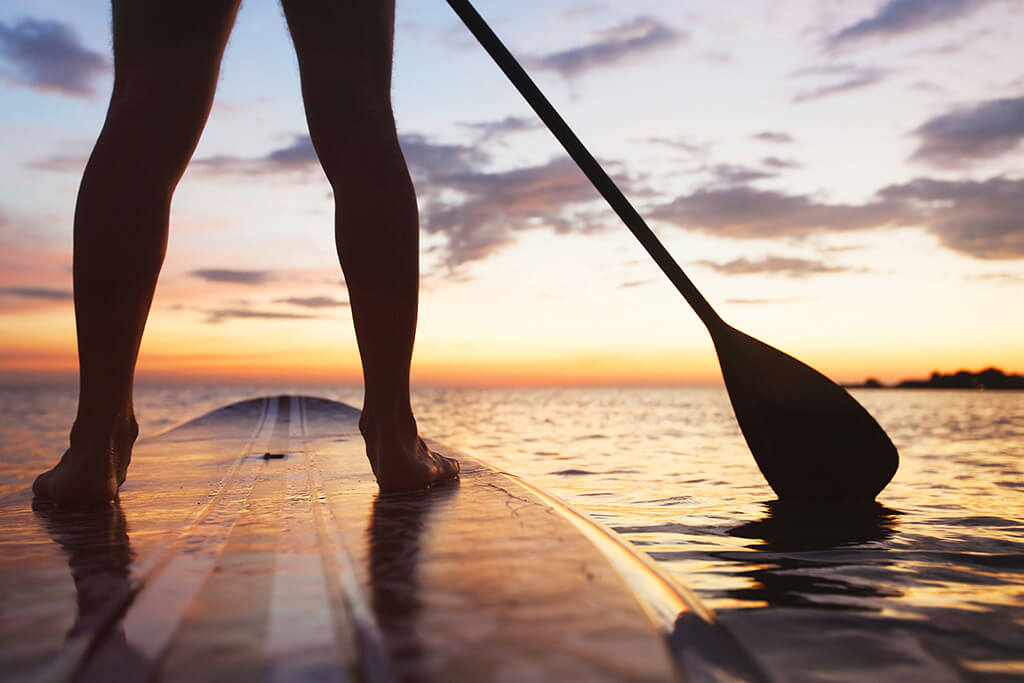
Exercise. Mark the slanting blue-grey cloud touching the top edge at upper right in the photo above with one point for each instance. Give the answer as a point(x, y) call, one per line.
point(900, 17)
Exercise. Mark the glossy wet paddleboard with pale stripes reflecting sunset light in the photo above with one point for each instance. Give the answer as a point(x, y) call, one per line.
point(223, 564)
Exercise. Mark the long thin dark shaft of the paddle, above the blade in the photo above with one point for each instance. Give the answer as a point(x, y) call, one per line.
point(602, 182)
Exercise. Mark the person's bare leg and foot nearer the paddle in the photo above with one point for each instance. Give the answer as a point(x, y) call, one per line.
point(345, 52)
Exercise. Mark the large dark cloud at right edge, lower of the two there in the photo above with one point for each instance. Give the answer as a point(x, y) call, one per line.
point(985, 220)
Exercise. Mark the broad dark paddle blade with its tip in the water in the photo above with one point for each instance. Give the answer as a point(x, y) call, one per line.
point(809, 437)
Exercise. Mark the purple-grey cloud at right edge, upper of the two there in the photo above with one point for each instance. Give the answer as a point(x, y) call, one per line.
point(968, 134)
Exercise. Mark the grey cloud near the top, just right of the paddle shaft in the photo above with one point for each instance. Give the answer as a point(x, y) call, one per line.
point(614, 47)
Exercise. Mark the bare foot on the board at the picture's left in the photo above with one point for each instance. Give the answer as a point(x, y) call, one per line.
point(92, 471)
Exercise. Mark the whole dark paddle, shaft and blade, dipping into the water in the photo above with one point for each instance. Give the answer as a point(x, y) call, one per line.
point(810, 439)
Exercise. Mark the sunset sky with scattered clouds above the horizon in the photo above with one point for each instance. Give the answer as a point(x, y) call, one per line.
point(842, 180)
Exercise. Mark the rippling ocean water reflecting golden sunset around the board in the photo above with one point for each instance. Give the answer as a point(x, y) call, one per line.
point(926, 586)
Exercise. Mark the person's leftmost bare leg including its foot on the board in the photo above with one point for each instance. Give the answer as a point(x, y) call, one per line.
point(166, 60)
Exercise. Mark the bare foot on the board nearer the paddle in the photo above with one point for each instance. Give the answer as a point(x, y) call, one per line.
point(401, 460)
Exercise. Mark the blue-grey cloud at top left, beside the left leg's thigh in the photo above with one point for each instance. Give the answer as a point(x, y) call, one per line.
point(48, 57)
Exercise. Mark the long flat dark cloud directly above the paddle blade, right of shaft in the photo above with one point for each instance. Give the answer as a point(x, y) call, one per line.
point(745, 212)
